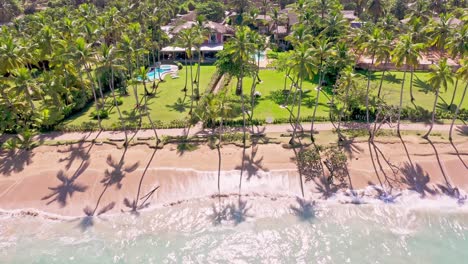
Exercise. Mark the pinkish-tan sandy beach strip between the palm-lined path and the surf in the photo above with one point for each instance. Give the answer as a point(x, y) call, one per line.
point(83, 178)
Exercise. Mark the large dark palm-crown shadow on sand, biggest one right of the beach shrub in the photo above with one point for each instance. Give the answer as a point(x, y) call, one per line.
point(416, 179)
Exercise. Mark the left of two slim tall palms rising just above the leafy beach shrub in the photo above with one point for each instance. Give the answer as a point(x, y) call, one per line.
point(303, 66)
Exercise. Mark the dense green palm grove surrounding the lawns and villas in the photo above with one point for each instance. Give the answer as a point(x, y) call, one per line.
point(55, 62)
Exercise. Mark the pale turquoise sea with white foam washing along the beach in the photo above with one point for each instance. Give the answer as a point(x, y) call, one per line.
point(258, 230)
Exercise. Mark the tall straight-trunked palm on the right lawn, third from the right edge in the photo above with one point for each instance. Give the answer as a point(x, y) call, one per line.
point(405, 53)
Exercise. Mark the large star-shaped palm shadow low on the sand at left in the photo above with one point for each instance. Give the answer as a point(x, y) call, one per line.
point(67, 187)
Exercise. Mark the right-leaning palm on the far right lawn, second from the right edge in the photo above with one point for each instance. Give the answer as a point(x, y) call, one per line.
point(440, 77)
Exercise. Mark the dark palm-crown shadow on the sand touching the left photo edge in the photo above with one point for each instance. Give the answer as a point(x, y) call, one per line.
point(14, 161)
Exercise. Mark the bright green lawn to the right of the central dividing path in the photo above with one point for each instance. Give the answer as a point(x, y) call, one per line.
point(273, 82)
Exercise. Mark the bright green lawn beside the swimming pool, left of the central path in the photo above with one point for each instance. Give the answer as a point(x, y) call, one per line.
point(163, 106)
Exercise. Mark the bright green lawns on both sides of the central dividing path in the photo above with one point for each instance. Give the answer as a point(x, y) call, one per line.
point(164, 107)
